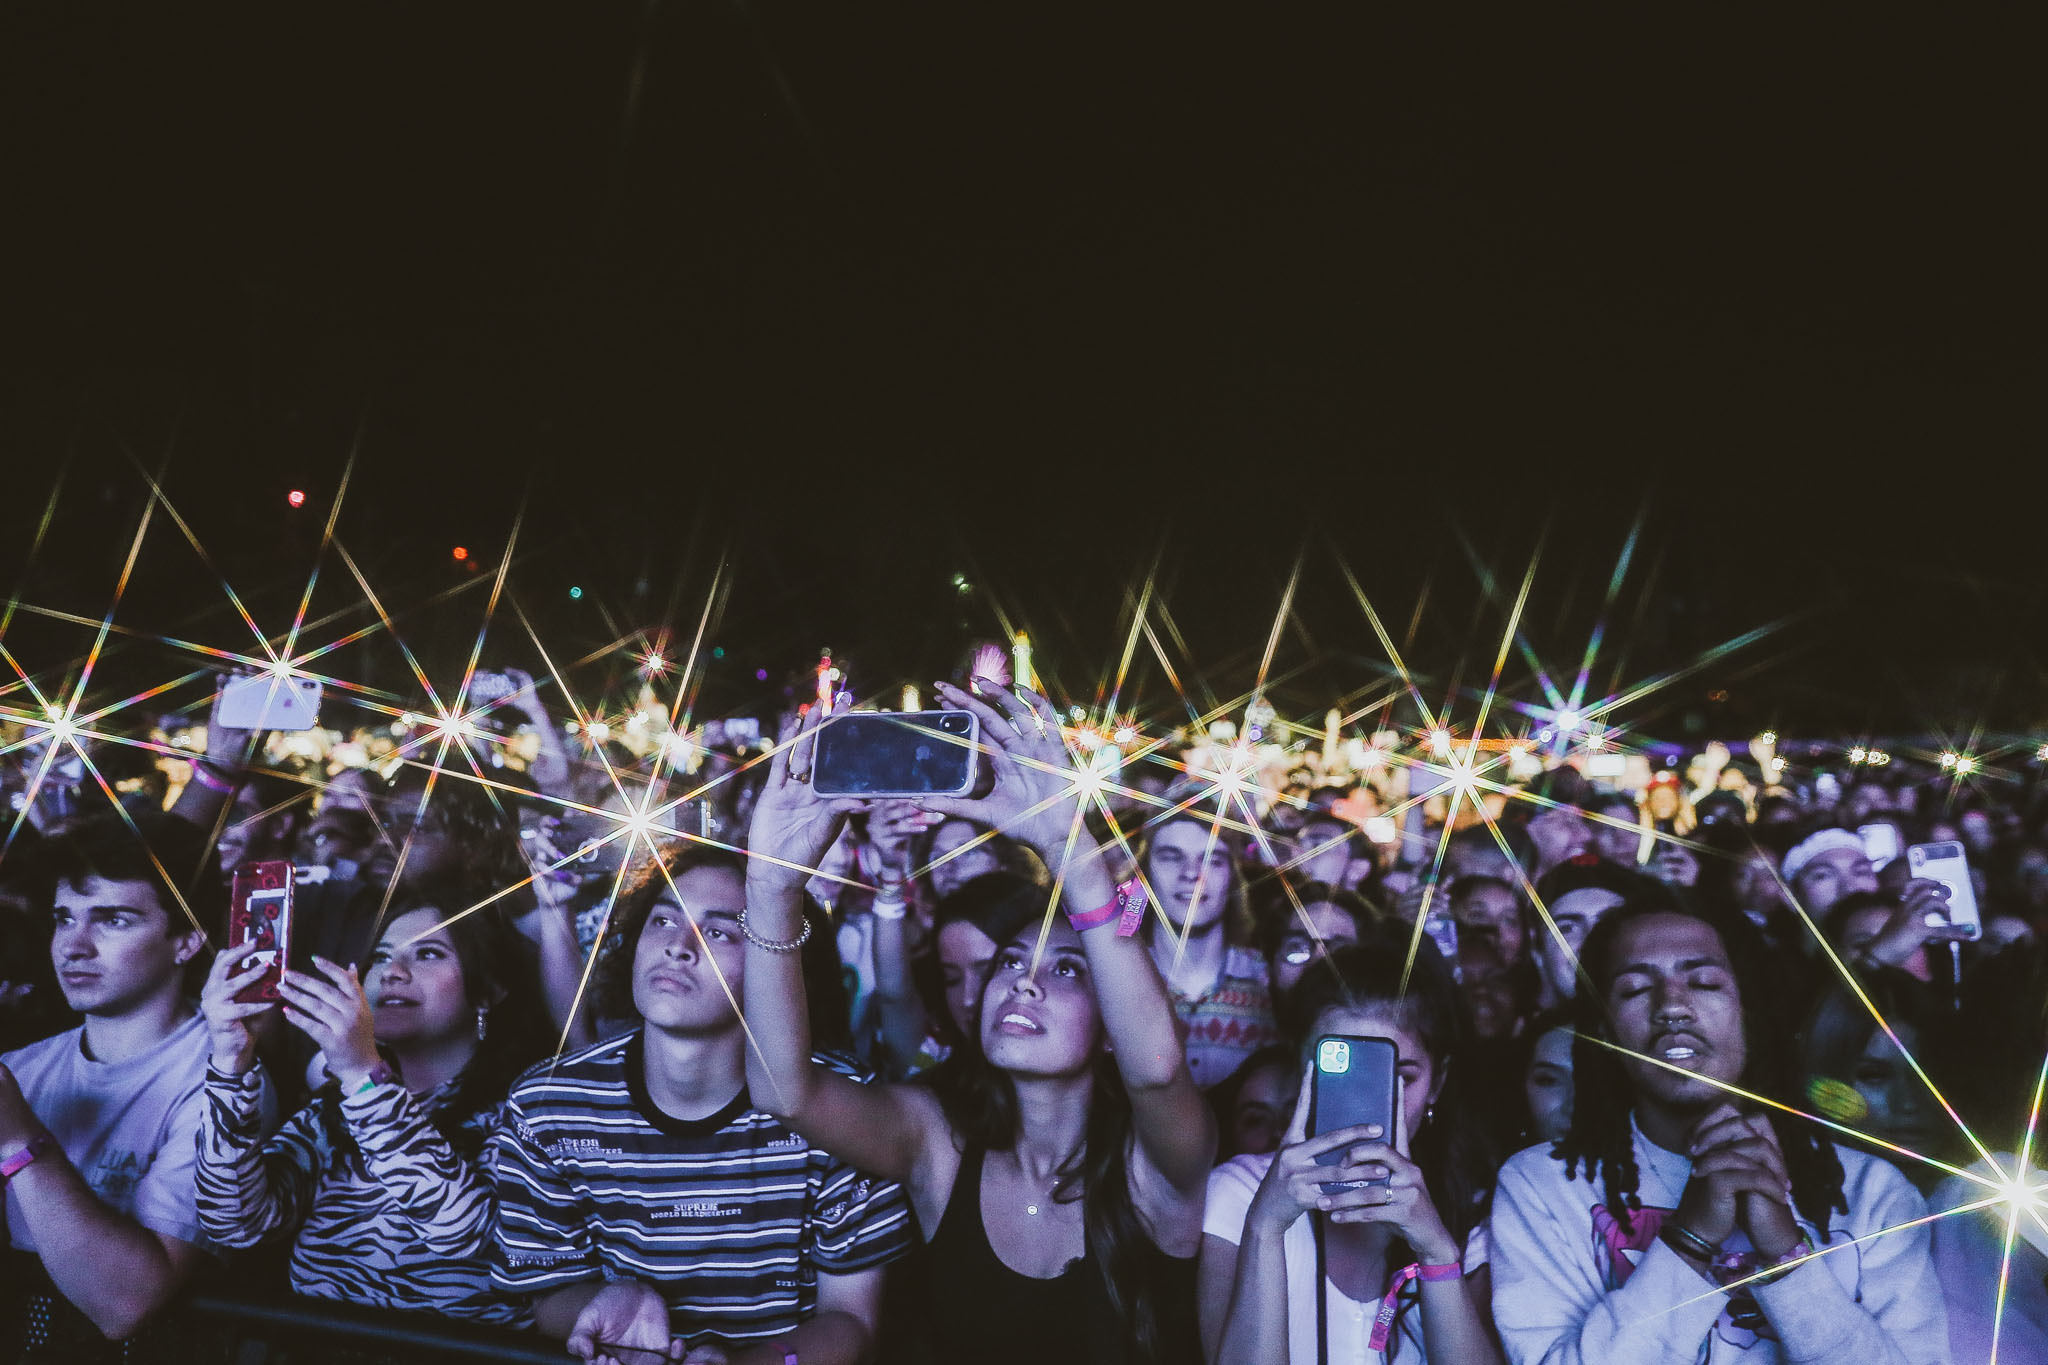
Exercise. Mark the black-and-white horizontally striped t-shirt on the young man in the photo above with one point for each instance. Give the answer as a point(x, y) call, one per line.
point(730, 1217)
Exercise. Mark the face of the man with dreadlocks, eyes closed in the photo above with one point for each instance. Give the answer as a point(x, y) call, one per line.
point(1676, 1010)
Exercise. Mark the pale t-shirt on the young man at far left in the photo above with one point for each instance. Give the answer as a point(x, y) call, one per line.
point(130, 1129)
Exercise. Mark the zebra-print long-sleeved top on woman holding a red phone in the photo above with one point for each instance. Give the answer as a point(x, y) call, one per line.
point(396, 1223)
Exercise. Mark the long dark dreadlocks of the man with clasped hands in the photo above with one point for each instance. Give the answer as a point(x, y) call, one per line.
point(1603, 1139)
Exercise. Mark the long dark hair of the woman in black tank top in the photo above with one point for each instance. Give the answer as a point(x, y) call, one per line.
point(982, 1106)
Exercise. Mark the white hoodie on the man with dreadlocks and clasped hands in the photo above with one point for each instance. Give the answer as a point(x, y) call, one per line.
point(1562, 1301)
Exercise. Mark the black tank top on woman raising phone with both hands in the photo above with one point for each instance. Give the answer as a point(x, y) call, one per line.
point(976, 1309)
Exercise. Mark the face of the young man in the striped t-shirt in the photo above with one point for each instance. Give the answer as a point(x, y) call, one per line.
point(689, 955)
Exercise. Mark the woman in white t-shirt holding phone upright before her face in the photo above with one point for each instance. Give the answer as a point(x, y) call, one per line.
point(1377, 1253)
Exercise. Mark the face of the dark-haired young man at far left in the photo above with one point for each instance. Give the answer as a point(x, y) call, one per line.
point(116, 946)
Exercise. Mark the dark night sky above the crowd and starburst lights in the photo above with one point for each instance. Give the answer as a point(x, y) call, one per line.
point(867, 296)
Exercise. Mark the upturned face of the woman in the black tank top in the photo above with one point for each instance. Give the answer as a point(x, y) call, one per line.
point(1041, 1022)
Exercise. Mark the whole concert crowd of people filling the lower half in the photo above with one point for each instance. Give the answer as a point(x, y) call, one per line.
point(1023, 1075)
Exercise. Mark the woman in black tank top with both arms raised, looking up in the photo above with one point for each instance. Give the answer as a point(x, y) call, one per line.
point(1062, 1182)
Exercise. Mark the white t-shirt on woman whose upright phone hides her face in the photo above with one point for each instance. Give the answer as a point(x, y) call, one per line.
point(1232, 1188)
